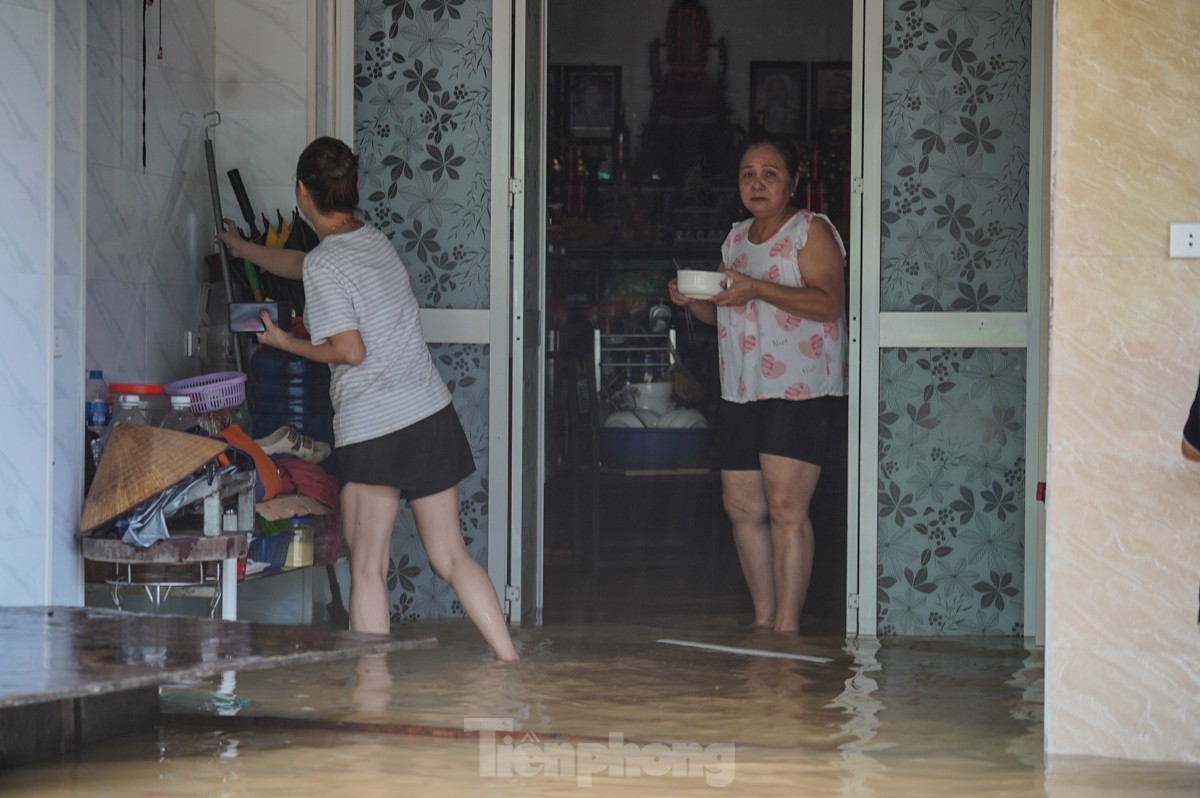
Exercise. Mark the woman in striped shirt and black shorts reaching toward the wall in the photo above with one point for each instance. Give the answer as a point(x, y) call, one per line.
point(397, 435)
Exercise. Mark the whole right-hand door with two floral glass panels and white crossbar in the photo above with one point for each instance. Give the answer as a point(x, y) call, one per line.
point(952, 327)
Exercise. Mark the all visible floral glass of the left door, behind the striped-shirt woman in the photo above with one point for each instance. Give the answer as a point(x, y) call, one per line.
point(423, 77)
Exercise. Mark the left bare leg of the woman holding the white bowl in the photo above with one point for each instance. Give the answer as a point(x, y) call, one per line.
point(746, 502)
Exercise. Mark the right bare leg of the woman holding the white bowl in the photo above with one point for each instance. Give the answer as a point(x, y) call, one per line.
point(790, 485)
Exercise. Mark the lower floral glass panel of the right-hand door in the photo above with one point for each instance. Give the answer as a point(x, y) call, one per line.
point(952, 493)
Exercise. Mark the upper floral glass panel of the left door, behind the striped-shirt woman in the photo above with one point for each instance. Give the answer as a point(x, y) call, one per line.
point(423, 81)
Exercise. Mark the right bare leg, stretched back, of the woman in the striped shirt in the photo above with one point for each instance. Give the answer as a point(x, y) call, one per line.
point(437, 524)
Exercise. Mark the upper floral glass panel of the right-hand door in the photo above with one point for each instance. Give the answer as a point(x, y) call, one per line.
point(956, 155)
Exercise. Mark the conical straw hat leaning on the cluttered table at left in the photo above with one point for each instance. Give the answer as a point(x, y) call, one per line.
point(140, 463)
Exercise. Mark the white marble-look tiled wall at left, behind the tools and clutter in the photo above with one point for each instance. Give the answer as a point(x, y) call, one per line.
point(104, 249)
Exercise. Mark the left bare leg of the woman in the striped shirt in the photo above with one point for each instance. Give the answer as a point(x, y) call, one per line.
point(369, 514)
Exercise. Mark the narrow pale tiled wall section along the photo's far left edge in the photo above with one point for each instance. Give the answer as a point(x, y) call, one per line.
point(27, 298)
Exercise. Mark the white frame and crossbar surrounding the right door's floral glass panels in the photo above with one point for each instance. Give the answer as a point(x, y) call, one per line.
point(880, 331)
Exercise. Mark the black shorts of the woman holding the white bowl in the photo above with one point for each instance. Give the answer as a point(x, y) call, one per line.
point(800, 430)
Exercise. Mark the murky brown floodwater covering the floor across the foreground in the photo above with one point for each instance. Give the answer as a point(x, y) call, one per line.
point(929, 718)
